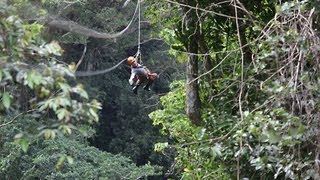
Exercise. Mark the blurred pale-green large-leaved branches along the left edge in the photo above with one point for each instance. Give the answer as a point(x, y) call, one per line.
point(33, 81)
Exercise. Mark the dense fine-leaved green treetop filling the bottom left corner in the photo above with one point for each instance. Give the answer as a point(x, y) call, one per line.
point(63, 158)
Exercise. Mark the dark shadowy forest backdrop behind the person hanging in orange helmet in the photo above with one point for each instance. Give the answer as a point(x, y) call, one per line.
point(124, 126)
